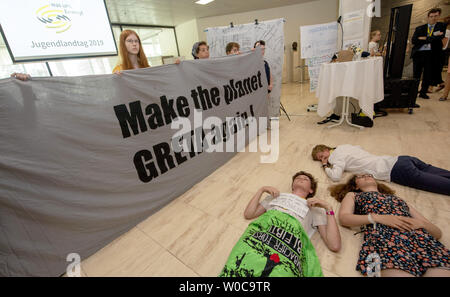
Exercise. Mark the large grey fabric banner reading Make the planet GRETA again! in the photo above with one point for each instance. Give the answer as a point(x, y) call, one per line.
point(84, 159)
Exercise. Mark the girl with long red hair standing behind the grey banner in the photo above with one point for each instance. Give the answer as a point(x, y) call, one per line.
point(131, 53)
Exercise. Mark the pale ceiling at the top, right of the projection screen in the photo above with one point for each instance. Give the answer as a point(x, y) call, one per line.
point(175, 12)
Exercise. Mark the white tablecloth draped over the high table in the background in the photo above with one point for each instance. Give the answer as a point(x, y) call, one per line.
point(362, 80)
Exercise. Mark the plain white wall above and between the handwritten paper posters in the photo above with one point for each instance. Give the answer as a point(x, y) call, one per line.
point(314, 12)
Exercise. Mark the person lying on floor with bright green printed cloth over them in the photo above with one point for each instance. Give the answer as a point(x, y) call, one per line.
point(277, 242)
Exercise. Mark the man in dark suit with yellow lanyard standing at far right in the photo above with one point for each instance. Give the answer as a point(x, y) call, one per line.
point(427, 41)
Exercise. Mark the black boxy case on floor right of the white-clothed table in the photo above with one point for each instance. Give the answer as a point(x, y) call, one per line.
point(399, 93)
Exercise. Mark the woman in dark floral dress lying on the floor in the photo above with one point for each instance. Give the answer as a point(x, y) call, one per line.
point(403, 240)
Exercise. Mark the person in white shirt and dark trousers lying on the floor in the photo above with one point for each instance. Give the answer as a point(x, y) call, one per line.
point(404, 170)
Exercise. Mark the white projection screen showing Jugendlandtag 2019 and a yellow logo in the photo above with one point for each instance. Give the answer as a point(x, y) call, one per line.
point(53, 29)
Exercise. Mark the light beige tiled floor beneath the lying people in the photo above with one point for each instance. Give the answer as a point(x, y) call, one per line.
point(193, 235)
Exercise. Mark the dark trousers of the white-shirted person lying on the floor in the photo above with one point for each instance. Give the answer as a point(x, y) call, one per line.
point(412, 172)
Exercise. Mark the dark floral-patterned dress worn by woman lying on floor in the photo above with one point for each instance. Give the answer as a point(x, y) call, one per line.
point(412, 251)
